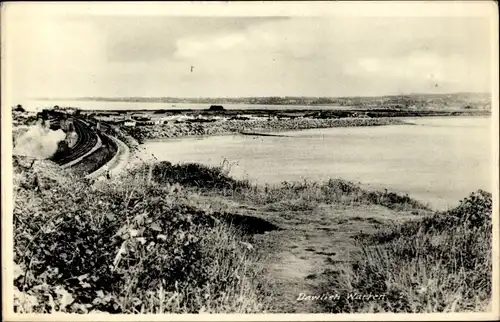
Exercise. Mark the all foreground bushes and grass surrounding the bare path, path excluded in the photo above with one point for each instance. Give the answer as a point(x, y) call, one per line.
point(148, 244)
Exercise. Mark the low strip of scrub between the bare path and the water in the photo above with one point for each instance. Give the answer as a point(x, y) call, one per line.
point(289, 195)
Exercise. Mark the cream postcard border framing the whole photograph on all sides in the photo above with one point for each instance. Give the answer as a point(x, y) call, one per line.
point(372, 8)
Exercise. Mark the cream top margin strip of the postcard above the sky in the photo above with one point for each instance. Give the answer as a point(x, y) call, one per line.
point(262, 8)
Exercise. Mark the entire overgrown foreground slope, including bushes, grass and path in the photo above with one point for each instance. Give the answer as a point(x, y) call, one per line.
point(317, 248)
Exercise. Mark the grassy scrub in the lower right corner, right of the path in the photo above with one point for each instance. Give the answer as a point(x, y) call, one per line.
point(440, 263)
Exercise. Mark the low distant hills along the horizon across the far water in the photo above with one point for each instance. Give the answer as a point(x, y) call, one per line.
point(452, 100)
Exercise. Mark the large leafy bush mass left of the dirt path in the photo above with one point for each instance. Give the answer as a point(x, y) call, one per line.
point(126, 247)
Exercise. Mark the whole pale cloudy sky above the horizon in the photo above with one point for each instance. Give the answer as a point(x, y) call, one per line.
point(83, 54)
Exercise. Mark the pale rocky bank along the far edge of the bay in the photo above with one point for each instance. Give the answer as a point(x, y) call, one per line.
point(180, 129)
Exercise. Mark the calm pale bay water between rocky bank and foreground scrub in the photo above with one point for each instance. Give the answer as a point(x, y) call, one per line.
point(438, 160)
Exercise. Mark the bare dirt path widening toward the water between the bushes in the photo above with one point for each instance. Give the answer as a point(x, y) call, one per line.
point(308, 244)
